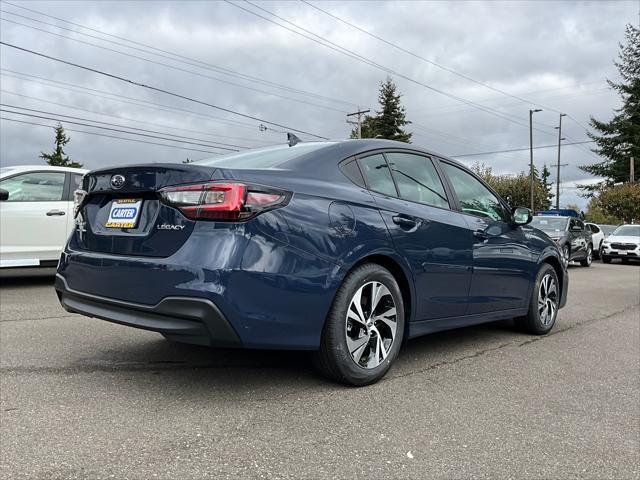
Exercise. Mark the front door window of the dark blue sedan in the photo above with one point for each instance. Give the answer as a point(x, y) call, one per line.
point(475, 199)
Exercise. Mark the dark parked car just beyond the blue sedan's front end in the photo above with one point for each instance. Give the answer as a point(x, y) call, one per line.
point(571, 235)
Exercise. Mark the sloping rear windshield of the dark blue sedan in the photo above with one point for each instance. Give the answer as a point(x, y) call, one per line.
point(269, 157)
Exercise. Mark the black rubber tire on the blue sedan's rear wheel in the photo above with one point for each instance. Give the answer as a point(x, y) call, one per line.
point(333, 359)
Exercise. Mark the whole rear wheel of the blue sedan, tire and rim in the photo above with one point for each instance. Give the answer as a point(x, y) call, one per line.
point(364, 329)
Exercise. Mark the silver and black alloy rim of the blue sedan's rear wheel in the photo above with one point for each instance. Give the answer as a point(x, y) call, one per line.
point(371, 325)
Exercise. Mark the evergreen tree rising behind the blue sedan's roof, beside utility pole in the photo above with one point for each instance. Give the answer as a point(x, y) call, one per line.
point(389, 120)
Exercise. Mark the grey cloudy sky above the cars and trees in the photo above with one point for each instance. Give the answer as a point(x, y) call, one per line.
point(468, 71)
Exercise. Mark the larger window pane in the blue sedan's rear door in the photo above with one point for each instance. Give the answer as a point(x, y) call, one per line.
point(417, 179)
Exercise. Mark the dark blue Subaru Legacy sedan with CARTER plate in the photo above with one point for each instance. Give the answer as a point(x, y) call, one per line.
point(343, 248)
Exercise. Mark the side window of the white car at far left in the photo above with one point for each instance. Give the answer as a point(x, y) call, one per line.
point(35, 187)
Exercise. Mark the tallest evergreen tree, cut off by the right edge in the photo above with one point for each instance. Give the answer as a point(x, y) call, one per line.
point(619, 139)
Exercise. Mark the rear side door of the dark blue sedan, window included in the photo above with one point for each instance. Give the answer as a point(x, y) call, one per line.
point(431, 237)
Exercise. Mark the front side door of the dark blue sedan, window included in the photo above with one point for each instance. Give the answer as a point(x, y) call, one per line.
point(503, 263)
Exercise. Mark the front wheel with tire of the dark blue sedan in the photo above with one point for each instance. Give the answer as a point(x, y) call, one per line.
point(544, 303)
